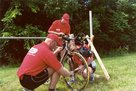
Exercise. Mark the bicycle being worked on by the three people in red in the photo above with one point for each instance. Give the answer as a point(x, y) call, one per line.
point(77, 81)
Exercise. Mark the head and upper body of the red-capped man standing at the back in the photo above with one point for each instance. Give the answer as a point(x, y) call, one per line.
point(60, 27)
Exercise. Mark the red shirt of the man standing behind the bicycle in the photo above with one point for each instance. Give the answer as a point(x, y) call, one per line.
point(57, 26)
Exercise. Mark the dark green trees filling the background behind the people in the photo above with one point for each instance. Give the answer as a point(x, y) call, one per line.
point(114, 23)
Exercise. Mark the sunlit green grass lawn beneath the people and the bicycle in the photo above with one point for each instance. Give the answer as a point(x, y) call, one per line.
point(122, 70)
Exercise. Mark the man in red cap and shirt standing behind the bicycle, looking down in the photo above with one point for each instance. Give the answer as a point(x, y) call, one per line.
point(60, 27)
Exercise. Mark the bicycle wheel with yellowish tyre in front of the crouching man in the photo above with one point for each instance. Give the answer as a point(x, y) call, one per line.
point(77, 81)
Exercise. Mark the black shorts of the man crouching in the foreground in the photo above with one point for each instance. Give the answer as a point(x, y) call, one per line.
point(32, 82)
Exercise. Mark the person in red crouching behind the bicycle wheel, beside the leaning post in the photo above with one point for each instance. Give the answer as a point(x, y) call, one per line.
point(84, 49)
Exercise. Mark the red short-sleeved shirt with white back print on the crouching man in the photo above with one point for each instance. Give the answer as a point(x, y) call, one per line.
point(37, 59)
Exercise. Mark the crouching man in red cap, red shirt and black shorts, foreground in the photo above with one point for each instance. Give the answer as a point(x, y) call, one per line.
point(40, 64)
